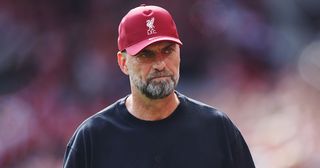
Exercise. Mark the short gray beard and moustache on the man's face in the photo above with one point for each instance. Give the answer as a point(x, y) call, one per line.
point(155, 89)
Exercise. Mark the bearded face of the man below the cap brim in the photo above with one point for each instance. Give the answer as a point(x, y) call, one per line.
point(154, 71)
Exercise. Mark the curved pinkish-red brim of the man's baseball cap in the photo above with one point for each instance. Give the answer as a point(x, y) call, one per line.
point(134, 49)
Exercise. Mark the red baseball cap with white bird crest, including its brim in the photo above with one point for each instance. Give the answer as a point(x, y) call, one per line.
point(145, 25)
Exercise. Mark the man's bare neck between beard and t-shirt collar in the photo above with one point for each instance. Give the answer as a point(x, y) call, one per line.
point(151, 109)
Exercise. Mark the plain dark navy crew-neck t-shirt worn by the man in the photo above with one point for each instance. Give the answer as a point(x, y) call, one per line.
point(195, 135)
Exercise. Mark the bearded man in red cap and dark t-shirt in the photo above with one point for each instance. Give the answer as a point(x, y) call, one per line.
point(155, 126)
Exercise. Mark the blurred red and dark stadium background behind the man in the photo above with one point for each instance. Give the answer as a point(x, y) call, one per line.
point(258, 61)
